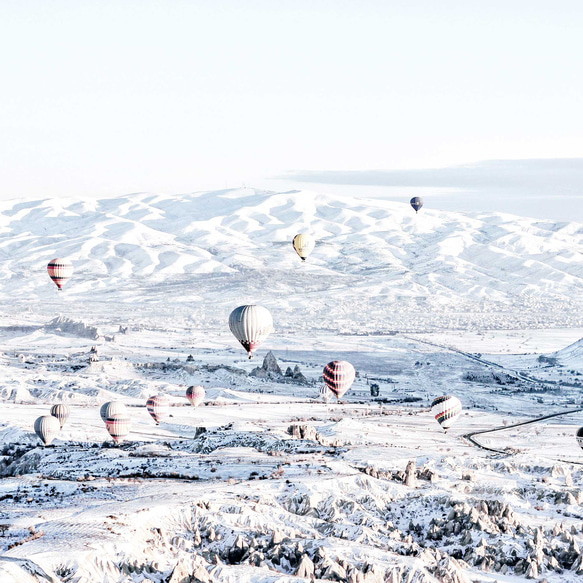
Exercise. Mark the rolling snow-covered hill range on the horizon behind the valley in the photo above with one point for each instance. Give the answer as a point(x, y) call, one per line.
point(377, 265)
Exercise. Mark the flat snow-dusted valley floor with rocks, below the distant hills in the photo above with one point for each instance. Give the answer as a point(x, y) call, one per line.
point(270, 480)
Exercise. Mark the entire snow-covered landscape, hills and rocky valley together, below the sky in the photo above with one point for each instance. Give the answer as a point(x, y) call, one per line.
point(269, 480)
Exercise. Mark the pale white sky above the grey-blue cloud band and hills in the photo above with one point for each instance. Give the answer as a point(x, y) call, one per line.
point(114, 96)
